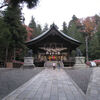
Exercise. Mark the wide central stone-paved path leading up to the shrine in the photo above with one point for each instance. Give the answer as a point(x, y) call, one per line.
point(48, 85)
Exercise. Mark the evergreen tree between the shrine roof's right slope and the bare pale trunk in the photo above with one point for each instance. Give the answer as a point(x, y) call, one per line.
point(74, 32)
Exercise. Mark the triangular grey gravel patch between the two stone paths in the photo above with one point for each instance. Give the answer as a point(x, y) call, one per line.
point(80, 76)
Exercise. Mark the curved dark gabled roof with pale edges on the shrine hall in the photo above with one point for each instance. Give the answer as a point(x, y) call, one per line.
point(52, 31)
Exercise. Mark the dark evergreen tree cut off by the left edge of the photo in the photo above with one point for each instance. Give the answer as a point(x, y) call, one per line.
point(5, 39)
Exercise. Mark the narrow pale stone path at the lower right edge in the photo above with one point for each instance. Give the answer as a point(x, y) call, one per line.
point(93, 91)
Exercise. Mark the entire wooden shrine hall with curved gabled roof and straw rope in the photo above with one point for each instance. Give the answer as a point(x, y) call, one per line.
point(53, 45)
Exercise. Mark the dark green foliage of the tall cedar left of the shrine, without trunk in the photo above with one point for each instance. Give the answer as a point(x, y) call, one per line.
point(17, 30)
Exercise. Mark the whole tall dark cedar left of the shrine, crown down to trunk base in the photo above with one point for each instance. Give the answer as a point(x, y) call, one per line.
point(13, 20)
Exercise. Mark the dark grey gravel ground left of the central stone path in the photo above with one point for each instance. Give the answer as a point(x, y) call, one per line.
point(10, 79)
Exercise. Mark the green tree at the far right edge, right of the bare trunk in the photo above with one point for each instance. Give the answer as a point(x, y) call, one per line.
point(94, 43)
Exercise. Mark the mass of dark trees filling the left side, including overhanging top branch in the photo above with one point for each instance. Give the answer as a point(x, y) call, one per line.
point(12, 32)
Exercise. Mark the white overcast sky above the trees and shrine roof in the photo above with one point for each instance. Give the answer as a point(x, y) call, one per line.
point(57, 11)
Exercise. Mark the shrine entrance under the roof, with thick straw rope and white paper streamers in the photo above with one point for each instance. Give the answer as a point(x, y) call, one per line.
point(53, 52)
